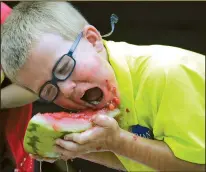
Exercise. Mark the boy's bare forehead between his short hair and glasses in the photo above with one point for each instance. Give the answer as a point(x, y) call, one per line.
point(38, 68)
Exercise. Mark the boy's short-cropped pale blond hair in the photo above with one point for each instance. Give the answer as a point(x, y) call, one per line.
point(27, 22)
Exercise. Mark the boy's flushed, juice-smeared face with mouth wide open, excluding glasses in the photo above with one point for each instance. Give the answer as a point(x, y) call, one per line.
point(92, 83)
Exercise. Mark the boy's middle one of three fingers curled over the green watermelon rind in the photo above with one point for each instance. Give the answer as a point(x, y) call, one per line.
point(68, 145)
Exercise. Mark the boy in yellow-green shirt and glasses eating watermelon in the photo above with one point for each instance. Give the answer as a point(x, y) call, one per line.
point(50, 49)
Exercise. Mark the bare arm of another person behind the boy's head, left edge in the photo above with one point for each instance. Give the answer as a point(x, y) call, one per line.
point(16, 96)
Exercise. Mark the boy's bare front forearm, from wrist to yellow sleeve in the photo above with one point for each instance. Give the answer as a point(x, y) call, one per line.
point(153, 153)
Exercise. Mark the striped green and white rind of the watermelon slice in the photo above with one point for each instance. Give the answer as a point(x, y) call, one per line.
point(40, 136)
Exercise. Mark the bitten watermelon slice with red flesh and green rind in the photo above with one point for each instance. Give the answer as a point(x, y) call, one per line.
point(44, 129)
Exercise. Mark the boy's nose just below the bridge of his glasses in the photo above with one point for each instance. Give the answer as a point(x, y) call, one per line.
point(67, 87)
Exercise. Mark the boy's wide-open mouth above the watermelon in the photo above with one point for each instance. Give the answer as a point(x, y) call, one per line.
point(93, 96)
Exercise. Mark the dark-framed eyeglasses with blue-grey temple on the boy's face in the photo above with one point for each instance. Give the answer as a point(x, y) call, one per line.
point(61, 71)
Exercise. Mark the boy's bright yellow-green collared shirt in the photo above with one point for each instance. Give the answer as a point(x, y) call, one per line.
point(163, 88)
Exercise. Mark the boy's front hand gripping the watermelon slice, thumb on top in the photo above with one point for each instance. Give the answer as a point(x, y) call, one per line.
point(99, 138)
